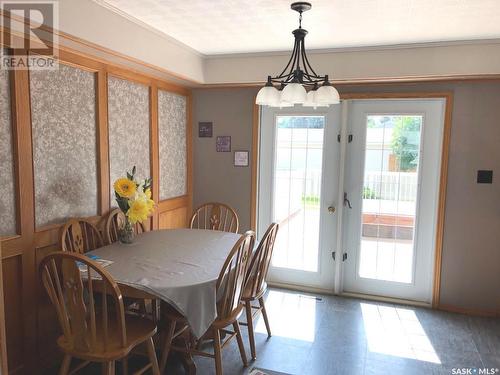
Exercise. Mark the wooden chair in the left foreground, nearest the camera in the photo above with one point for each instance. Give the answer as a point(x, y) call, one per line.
point(92, 332)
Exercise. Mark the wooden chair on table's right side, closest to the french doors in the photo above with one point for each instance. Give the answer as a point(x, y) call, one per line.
point(256, 283)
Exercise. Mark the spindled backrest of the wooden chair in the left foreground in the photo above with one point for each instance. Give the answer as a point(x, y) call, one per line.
point(72, 290)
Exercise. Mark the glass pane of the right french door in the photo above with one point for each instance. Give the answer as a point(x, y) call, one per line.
point(389, 204)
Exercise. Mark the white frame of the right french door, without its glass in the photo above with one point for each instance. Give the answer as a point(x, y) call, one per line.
point(420, 289)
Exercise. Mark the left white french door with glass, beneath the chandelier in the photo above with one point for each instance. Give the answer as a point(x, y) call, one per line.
point(298, 172)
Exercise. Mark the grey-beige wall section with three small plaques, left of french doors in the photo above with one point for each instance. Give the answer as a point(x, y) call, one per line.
point(215, 177)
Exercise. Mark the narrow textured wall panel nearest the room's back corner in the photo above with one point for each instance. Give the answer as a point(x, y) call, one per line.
point(172, 133)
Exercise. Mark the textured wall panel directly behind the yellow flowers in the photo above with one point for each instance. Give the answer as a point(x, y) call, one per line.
point(128, 114)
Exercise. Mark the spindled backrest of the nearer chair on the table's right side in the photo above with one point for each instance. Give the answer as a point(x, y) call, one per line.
point(232, 277)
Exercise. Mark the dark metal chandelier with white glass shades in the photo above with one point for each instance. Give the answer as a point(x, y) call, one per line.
point(298, 83)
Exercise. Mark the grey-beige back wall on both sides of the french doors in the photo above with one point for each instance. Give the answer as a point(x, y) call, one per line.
point(471, 253)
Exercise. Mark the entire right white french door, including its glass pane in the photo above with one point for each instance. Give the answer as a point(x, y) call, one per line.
point(392, 186)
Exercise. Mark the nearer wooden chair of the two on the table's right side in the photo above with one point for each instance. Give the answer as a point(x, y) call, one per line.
point(229, 288)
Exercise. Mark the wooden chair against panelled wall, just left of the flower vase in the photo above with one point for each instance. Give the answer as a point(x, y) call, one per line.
point(80, 236)
